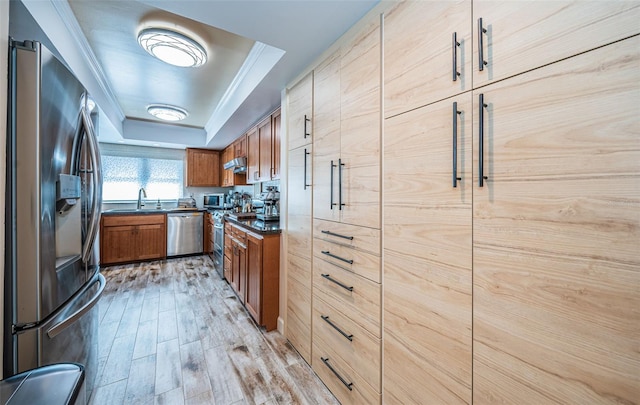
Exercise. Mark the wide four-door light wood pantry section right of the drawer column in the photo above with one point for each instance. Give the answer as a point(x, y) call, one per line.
point(511, 276)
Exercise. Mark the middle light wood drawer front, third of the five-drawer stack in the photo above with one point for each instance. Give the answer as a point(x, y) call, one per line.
point(361, 303)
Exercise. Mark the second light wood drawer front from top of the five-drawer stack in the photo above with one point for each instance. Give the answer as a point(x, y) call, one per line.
point(365, 264)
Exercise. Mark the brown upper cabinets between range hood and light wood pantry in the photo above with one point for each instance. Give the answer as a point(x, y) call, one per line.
point(262, 163)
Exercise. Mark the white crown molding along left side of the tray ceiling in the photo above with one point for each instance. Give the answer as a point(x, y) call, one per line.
point(66, 14)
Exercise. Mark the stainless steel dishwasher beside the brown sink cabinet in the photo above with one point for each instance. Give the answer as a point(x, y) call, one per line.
point(184, 233)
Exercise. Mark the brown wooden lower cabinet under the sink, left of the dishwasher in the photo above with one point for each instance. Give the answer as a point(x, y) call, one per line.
point(129, 238)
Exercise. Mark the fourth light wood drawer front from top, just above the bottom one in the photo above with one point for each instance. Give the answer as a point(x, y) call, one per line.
point(352, 343)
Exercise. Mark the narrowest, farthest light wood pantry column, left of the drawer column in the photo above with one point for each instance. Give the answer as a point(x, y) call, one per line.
point(299, 197)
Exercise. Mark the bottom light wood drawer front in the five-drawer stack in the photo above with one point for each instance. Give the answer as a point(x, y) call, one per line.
point(360, 393)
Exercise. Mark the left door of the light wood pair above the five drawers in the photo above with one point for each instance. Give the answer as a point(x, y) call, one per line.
point(326, 143)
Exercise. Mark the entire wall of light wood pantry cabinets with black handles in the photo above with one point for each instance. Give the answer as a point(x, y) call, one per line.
point(497, 261)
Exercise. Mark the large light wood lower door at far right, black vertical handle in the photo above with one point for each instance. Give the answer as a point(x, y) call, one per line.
point(556, 231)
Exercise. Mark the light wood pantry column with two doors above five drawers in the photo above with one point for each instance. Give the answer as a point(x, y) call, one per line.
point(346, 301)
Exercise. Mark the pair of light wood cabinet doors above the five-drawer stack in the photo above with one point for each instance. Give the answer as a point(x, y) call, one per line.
point(347, 132)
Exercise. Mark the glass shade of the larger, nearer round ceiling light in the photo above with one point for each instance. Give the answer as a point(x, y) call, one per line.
point(172, 47)
